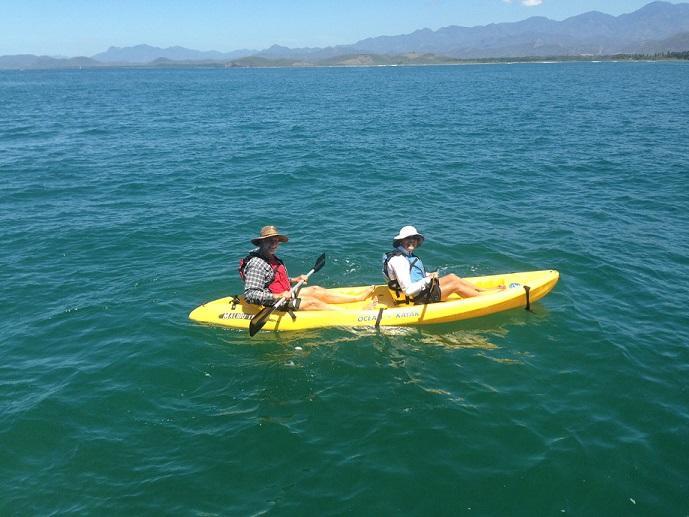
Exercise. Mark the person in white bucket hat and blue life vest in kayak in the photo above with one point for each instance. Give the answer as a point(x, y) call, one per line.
point(406, 273)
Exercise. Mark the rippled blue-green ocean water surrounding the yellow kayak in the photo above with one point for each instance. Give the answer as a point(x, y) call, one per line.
point(128, 196)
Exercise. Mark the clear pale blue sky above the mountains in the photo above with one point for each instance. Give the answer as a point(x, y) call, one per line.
point(86, 27)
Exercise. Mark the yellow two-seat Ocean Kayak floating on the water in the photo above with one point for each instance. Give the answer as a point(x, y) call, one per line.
point(521, 289)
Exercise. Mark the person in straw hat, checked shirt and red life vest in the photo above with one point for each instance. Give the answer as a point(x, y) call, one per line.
point(266, 280)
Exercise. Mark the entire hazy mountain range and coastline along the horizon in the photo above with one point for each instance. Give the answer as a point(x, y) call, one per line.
point(658, 27)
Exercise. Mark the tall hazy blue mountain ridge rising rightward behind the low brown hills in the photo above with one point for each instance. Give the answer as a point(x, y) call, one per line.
point(590, 33)
